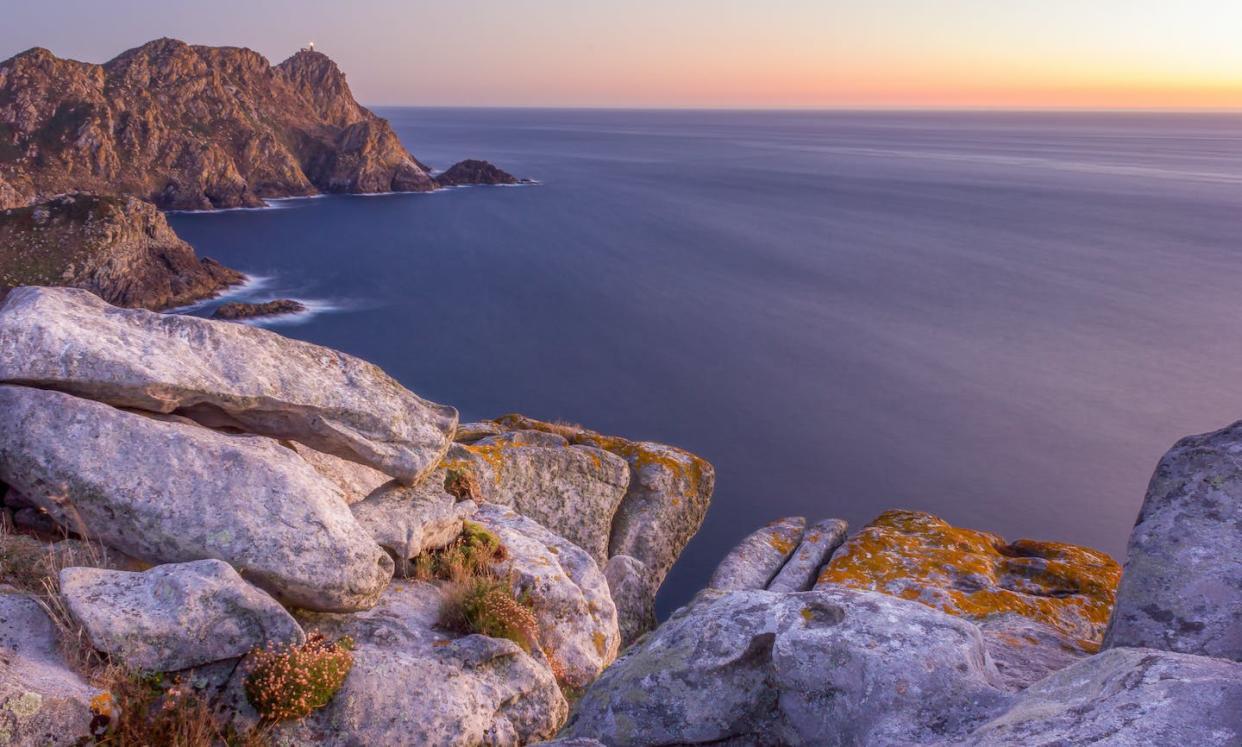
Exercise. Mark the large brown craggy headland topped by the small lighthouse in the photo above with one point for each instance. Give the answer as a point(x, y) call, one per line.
point(192, 127)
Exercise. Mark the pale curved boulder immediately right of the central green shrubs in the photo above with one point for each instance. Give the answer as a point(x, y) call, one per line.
point(577, 617)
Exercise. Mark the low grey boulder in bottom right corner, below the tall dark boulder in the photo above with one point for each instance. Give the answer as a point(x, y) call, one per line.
point(1127, 697)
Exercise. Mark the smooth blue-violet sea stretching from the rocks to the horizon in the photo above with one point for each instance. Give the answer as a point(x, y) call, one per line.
point(1002, 319)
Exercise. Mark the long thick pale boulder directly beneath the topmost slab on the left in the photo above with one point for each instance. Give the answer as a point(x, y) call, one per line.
point(170, 493)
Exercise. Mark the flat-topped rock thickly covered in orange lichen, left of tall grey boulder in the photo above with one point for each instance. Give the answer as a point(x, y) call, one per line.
point(978, 575)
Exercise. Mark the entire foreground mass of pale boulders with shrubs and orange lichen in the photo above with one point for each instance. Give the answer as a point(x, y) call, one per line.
point(217, 536)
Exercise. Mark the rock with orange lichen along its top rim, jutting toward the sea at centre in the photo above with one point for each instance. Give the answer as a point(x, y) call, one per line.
point(664, 508)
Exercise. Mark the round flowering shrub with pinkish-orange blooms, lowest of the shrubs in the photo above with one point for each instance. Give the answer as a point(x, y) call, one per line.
point(291, 682)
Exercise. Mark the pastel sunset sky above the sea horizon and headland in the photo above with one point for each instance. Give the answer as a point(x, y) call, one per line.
point(736, 54)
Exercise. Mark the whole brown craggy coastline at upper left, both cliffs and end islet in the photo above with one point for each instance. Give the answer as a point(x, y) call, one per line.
point(184, 129)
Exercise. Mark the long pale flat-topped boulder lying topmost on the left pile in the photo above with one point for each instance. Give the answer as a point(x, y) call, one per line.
point(222, 375)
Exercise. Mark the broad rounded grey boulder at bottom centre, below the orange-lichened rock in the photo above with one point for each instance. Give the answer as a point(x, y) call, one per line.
point(832, 667)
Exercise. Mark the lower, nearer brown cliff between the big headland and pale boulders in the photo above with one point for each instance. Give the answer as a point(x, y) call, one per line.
point(120, 249)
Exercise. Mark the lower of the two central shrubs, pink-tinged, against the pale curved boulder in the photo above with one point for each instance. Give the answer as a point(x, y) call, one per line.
point(489, 607)
